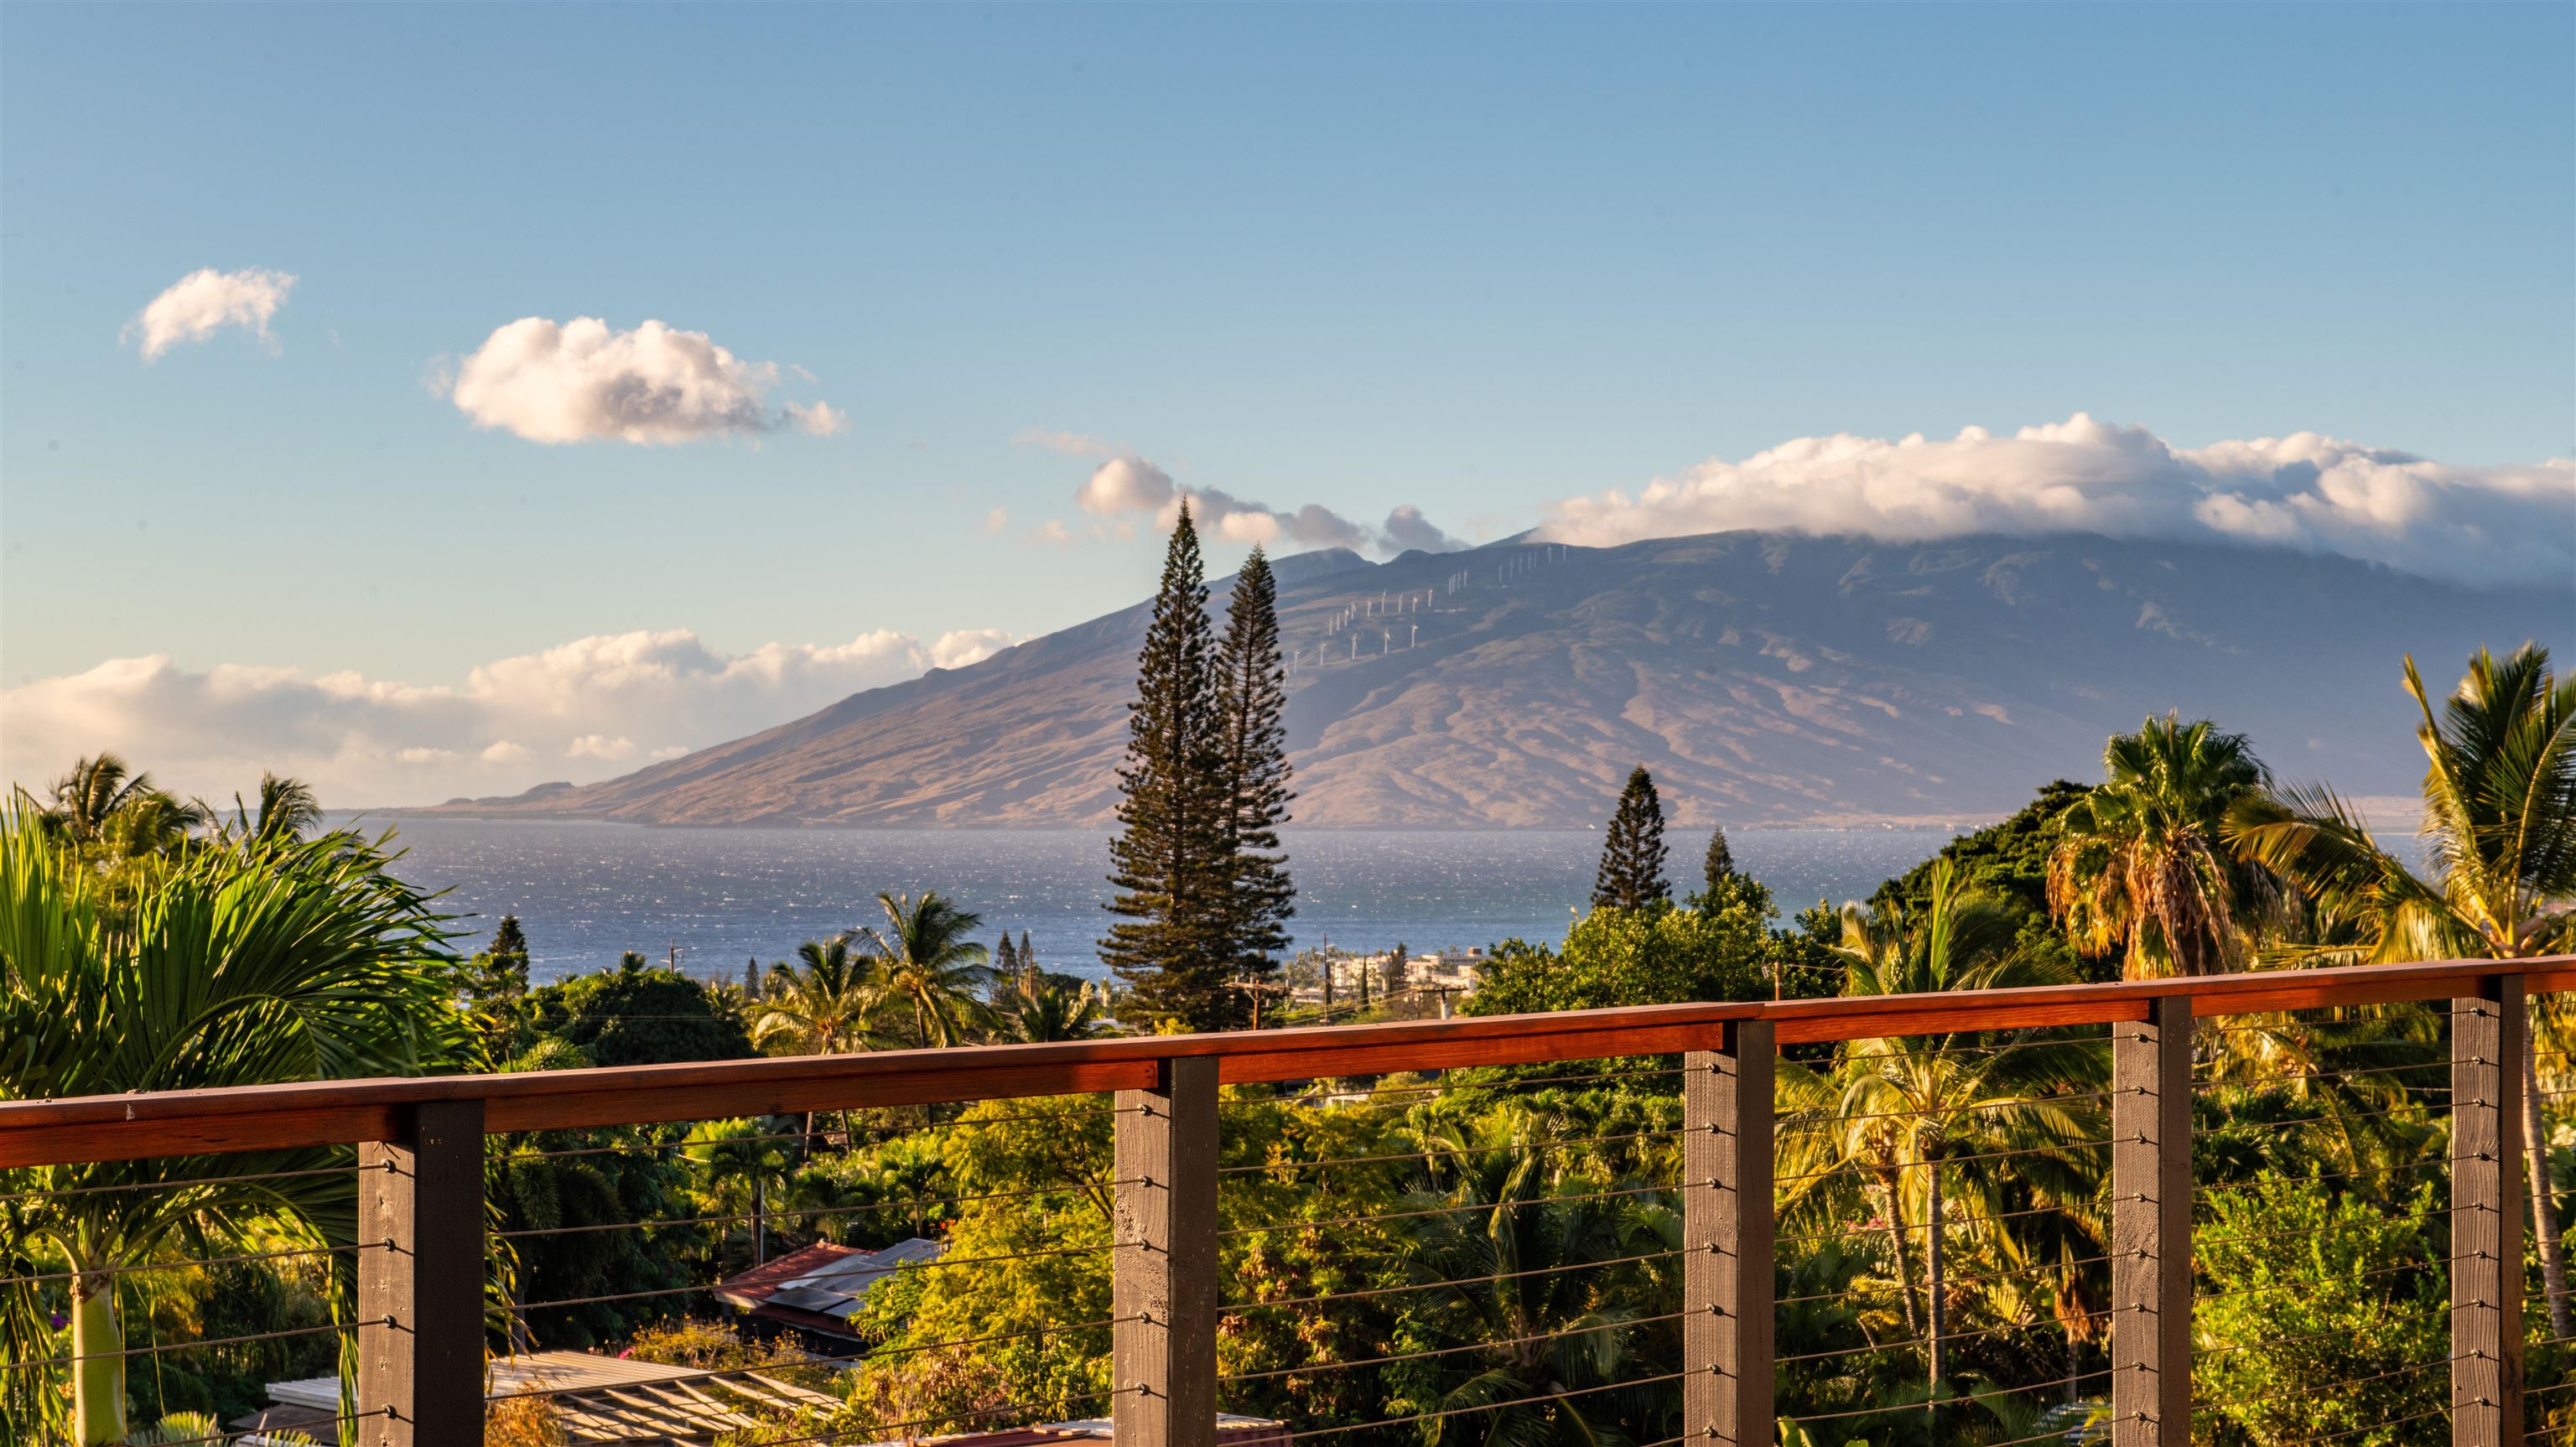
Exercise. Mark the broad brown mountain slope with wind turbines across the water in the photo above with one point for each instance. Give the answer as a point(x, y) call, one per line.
point(1763, 678)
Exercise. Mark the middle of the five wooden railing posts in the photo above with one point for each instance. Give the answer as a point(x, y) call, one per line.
point(1727, 1240)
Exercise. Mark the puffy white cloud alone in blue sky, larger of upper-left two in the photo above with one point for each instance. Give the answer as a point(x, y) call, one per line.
point(576, 382)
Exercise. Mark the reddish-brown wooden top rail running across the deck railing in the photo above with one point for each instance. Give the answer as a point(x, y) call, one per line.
point(313, 1114)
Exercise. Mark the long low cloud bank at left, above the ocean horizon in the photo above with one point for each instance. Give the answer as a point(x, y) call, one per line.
point(586, 709)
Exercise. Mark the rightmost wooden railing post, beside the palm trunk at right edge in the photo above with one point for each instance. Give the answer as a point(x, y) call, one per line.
point(2487, 1214)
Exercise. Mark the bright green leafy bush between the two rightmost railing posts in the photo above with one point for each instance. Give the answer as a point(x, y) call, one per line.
point(2335, 1296)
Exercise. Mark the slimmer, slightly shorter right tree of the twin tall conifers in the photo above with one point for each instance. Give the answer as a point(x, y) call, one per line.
point(1251, 691)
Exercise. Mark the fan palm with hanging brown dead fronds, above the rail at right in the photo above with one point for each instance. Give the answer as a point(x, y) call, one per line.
point(2142, 864)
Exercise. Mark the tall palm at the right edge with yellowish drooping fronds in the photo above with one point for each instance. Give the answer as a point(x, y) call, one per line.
point(2500, 815)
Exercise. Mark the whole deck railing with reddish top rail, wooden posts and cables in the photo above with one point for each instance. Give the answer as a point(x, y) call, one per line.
point(424, 1242)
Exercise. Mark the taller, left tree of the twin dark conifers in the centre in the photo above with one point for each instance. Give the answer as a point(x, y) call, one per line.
point(1171, 859)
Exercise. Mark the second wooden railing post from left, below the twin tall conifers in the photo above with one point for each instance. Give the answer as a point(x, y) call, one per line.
point(1163, 1345)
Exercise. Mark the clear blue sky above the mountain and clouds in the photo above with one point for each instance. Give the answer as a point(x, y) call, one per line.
point(1462, 259)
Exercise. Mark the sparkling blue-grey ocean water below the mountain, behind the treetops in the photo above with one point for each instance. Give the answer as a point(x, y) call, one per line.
point(586, 892)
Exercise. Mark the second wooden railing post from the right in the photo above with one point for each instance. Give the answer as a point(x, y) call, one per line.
point(2152, 1227)
